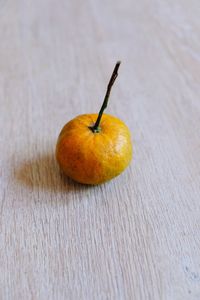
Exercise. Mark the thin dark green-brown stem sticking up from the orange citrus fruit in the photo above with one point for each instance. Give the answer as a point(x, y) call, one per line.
point(96, 127)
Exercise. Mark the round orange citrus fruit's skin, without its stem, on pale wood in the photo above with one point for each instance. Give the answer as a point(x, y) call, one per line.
point(93, 158)
